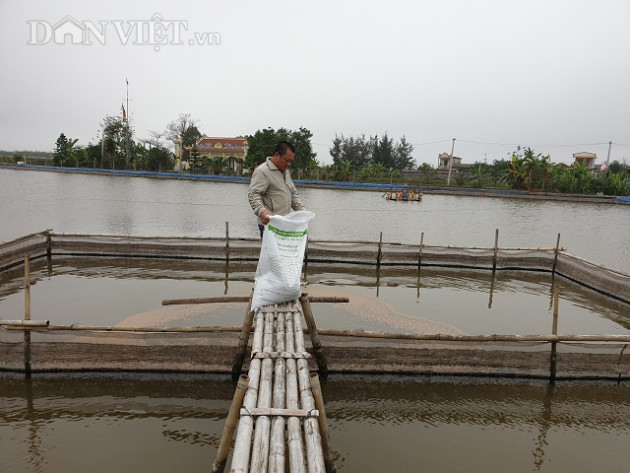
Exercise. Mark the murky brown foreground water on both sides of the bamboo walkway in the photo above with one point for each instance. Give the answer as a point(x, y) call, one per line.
point(439, 423)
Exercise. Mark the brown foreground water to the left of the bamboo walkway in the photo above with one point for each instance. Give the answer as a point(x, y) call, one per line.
point(45, 415)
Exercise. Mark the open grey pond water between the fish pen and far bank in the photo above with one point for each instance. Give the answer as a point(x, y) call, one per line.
point(33, 201)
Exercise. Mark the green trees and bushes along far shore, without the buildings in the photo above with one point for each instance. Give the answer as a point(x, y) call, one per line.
point(360, 158)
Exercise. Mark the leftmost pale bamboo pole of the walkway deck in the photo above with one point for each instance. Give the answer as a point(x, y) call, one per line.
point(242, 445)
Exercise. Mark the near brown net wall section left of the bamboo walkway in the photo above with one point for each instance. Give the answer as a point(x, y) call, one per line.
point(77, 349)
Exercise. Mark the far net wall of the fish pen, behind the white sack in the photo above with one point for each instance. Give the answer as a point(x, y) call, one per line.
point(554, 260)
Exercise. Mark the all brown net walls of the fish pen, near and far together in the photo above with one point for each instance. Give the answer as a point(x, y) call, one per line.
point(207, 349)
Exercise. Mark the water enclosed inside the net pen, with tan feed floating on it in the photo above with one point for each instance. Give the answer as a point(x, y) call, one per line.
point(109, 291)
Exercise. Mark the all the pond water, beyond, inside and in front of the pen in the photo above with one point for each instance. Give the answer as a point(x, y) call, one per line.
point(59, 423)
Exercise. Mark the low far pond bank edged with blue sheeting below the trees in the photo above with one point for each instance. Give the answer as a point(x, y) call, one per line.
point(365, 186)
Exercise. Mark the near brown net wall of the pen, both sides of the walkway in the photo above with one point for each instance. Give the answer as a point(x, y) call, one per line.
point(100, 349)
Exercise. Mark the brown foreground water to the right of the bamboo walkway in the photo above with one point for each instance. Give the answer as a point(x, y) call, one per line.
point(500, 426)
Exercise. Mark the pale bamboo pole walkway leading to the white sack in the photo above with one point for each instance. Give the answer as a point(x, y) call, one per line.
point(278, 405)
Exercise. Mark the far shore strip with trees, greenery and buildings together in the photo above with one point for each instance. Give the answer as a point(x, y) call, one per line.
point(374, 162)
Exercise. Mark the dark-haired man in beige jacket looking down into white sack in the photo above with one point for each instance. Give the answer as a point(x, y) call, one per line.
point(271, 190)
